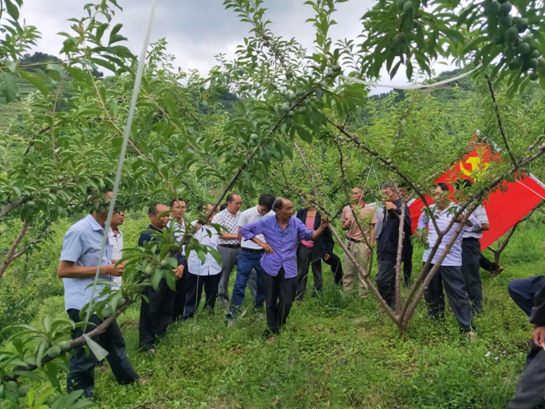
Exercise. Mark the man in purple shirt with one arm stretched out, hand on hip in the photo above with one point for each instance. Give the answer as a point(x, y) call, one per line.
point(282, 234)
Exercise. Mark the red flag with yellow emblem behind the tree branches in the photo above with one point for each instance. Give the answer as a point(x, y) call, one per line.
point(504, 207)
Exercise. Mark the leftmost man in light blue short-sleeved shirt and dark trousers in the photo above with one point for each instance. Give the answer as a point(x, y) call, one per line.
point(77, 267)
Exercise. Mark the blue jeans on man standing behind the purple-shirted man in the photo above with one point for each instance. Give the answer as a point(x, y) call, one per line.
point(247, 261)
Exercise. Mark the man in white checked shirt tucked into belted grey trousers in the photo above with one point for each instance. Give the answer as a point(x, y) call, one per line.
point(229, 244)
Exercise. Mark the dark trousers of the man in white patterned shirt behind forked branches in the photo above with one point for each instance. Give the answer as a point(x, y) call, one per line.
point(452, 279)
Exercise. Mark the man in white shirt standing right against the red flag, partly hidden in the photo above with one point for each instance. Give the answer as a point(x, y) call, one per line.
point(471, 253)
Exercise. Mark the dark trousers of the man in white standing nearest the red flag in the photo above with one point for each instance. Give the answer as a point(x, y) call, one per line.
point(471, 256)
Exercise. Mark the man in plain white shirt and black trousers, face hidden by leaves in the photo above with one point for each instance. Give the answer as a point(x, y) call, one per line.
point(202, 273)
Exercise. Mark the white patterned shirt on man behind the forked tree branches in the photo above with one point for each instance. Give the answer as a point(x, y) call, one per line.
point(454, 256)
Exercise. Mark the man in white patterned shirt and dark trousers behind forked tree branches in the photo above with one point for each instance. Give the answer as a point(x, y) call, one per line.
point(450, 272)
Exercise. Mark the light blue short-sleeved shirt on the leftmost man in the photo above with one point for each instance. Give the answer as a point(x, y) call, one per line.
point(81, 245)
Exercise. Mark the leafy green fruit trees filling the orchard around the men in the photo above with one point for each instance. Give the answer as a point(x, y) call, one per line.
point(277, 118)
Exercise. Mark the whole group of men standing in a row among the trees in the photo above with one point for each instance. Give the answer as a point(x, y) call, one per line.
point(273, 251)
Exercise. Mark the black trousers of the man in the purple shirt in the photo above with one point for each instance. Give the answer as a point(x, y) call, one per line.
point(279, 296)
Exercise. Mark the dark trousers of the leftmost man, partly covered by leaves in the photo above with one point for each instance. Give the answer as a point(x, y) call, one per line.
point(82, 365)
